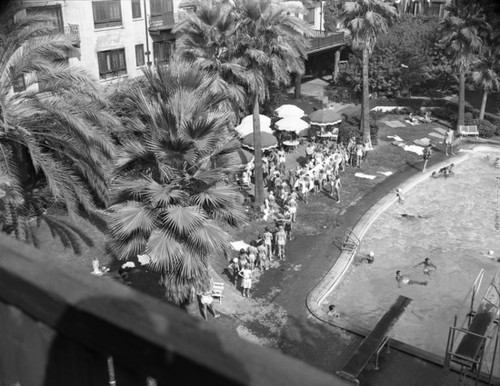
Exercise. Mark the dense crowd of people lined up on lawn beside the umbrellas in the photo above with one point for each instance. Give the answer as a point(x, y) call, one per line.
point(285, 187)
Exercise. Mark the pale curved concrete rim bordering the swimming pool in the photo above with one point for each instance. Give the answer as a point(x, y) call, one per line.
point(332, 279)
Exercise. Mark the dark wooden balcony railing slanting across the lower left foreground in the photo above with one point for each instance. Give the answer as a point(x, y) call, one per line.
point(61, 326)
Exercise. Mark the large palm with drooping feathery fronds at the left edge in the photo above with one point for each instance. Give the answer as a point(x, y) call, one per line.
point(53, 151)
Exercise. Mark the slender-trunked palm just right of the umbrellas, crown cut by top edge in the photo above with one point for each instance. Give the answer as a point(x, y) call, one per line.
point(366, 20)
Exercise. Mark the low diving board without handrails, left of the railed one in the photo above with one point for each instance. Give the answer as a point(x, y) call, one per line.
point(374, 342)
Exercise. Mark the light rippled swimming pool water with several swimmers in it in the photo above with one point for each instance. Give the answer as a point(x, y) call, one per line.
point(458, 227)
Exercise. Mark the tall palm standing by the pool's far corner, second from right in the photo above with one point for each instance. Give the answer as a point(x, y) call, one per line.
point(463, 30)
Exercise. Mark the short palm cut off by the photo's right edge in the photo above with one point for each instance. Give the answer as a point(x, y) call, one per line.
point(486, 75)
